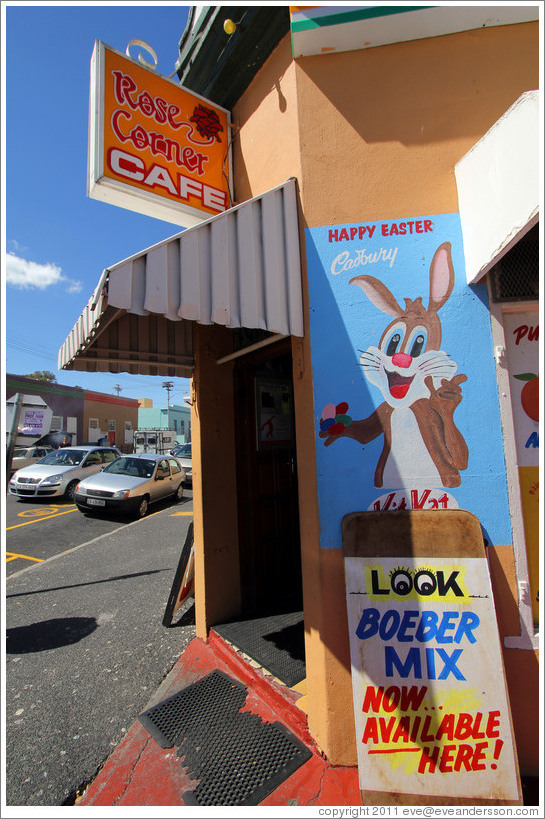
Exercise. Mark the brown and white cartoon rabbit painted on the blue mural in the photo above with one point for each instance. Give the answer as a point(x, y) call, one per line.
point(422, 445)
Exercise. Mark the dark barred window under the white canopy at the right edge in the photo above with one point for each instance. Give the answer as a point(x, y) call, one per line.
point(516, 276)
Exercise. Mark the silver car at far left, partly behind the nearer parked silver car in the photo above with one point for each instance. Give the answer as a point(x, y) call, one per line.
point(59, 472)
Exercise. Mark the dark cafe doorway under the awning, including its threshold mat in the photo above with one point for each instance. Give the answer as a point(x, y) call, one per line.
point(270, 626)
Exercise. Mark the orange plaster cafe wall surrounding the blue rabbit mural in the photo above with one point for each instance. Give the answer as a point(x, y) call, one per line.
point(375, 134)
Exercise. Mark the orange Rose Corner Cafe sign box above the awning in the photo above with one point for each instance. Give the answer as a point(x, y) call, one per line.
point(154, 146)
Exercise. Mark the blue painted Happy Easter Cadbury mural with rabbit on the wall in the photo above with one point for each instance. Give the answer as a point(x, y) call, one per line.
point(437, 401)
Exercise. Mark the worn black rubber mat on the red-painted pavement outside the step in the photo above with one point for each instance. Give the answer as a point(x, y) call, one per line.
point(237, 758)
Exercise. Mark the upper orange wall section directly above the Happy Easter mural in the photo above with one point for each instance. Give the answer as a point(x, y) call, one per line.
point(393, 121)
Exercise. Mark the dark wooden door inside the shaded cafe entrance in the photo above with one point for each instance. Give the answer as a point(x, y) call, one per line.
point(267, 485)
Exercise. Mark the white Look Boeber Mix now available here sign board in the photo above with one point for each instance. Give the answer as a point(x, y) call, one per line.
point(430, 700)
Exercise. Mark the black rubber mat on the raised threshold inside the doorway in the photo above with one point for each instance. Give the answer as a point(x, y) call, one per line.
point(276, 642)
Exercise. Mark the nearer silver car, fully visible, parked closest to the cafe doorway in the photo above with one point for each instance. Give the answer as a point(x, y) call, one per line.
point(131, 483)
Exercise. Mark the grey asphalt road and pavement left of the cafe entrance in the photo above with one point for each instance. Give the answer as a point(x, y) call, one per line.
point(86, 648)
